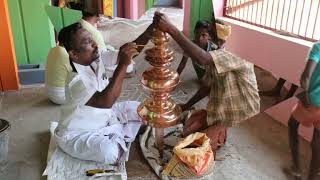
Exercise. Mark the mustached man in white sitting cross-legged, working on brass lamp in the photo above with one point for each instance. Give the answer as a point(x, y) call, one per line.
point(92, 125)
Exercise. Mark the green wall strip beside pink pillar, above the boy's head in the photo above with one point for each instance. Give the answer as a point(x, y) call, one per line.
point(199, 10)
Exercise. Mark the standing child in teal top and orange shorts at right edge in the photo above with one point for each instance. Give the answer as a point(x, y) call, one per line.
point(307, 113)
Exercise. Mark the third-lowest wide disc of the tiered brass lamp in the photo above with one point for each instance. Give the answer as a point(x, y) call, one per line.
point(159, 57)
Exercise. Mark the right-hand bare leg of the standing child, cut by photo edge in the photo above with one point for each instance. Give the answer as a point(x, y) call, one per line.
point(314, 173)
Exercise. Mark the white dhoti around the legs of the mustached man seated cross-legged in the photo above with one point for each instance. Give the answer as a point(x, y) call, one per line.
point(108, 144)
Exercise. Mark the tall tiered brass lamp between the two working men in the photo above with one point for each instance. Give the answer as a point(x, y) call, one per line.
point(159, 110)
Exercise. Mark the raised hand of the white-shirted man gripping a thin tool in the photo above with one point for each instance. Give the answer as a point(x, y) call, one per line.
point(127, 52)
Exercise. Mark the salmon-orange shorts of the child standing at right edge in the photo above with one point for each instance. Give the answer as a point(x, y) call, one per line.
point(307, 116)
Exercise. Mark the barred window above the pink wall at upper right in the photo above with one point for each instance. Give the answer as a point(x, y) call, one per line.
point(299, 18)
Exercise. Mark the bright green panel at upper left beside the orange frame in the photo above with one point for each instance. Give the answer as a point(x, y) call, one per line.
point(32, 31)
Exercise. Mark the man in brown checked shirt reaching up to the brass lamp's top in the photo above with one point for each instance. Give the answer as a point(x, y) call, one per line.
point(232, 86)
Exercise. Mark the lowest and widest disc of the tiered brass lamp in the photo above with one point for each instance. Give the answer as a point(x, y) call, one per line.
point(162, 118)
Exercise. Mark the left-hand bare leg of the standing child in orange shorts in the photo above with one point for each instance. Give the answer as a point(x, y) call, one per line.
point(293, 126)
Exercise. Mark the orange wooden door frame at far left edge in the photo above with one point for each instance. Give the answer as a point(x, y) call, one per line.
point(8, 69)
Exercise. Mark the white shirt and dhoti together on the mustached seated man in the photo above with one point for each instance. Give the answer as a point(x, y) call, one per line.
point(90, 133)
